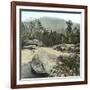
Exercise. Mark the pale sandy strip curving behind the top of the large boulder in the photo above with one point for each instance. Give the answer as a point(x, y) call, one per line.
point(27, 55)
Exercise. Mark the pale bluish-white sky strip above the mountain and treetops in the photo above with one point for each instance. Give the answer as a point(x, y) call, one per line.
point(30, 15)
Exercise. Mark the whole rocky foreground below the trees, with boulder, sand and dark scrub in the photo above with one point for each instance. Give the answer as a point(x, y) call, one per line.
point(49, 62)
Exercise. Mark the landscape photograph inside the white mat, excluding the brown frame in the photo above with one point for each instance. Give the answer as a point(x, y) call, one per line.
point(49, 43)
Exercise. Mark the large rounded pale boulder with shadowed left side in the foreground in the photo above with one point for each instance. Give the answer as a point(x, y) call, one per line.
point(43, 62)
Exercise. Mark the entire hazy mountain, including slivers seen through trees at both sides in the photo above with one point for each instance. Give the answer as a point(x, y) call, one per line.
point(54, 24)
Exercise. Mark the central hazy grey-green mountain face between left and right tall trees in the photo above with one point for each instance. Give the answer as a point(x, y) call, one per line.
point(53, 24)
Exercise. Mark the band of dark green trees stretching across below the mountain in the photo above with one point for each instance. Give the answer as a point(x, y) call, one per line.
point(49, 37)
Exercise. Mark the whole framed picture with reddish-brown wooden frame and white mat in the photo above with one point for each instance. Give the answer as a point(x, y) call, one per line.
point(49, 43)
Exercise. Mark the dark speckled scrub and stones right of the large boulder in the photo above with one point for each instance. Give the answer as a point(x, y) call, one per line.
point(67, 66)
